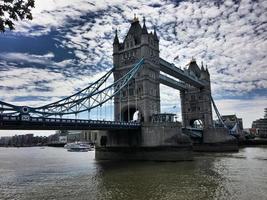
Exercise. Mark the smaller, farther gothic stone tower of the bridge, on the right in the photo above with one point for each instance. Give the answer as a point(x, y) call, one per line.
point(195, 102)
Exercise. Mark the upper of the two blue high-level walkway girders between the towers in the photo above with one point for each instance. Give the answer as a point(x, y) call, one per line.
point(180, 74)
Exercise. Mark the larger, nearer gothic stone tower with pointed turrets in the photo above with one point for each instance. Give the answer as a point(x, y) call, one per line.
point(142, 93)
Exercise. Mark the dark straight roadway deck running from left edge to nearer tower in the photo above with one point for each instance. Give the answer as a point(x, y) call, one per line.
point(40, 123)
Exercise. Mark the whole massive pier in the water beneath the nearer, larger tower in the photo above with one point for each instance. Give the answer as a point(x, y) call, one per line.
point(156, 142)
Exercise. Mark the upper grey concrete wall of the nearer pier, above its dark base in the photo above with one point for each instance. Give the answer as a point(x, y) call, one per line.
point(150, 135)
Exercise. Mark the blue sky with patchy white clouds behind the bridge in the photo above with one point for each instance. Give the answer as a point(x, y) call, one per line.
point(68, 44)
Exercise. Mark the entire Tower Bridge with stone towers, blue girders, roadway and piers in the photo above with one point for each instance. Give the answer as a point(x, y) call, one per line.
point(138, 71)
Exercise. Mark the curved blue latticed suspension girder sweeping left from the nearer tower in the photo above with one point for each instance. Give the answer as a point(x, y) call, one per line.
point(90, 97)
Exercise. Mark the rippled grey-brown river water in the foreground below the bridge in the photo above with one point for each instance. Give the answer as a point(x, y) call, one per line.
point(54, 173)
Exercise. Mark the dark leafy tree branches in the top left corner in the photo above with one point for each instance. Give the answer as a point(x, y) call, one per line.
point(14, 10)
